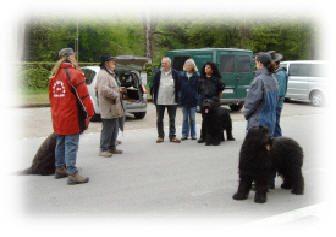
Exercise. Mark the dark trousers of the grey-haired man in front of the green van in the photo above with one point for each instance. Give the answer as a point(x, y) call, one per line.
point(171, 109)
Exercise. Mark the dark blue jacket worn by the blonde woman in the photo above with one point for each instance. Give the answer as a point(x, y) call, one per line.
point(189, 90)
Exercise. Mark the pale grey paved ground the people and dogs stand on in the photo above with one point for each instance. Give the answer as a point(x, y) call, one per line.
point(164, 180)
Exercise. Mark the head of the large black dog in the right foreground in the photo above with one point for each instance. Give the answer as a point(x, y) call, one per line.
point(260, 137)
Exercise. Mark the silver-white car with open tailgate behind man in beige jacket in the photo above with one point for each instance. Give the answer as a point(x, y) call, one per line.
point(135, 98)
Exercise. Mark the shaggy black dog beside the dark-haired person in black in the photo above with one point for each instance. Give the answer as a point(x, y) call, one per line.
point(216, 119)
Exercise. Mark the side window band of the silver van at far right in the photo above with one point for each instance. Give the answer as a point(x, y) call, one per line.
point(307, 70)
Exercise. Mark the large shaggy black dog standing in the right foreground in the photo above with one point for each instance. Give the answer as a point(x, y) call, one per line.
point(260, 156)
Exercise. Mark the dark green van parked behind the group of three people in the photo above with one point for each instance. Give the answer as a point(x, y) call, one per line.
point(235, 65)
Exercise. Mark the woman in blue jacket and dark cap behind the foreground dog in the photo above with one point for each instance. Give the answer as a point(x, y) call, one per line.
point(262, 97)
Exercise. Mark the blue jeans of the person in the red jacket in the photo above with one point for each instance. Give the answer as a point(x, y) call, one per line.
point(66, 152)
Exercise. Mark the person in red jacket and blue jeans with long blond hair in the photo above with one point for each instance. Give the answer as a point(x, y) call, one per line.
point(64, 113)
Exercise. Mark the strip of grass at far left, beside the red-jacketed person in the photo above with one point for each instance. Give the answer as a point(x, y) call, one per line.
point(28, 96)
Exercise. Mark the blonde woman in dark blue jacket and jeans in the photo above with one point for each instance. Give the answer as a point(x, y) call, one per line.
point(189, 98)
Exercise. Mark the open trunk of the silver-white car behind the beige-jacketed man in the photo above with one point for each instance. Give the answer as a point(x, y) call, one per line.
point(131, 81)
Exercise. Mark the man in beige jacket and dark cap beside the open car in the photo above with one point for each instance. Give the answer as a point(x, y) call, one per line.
point(110, 106)
